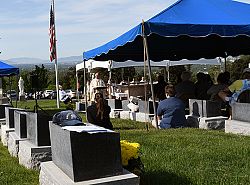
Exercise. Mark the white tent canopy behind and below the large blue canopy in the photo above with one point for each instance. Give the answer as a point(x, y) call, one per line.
point(91, 64)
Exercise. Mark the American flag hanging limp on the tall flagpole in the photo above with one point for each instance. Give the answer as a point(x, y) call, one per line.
point(52, 35)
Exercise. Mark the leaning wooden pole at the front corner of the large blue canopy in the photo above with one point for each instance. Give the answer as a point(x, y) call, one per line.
point(149, 70)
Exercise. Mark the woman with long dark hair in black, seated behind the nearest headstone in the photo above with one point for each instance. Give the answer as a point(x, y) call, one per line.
point(98, 112)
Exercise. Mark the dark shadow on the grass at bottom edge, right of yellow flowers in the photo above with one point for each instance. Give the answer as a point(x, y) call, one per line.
point(163, 178)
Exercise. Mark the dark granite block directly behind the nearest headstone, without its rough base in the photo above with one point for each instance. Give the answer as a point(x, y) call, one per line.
point(38, 128)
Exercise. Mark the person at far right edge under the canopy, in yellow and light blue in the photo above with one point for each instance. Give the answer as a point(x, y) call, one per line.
point(236, 88)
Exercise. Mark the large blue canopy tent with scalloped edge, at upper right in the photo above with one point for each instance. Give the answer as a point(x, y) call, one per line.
point(188, 29)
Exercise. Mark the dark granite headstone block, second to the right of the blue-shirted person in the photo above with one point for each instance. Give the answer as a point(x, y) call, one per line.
point(211, 108)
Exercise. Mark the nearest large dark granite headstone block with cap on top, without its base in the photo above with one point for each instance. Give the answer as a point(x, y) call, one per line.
point(84, 156)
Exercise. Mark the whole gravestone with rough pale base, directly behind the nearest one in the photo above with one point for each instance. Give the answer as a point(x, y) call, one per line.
point(37, 148)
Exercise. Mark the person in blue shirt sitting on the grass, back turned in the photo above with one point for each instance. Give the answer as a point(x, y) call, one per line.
point(171, 111)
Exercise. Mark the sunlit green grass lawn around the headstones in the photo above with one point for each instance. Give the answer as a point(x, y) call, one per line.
point(174, 156)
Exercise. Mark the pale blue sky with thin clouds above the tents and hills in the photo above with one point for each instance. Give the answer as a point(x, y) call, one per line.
point(81, 25)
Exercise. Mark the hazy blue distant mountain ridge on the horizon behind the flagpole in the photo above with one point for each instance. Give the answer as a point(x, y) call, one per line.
point(36, 61)
